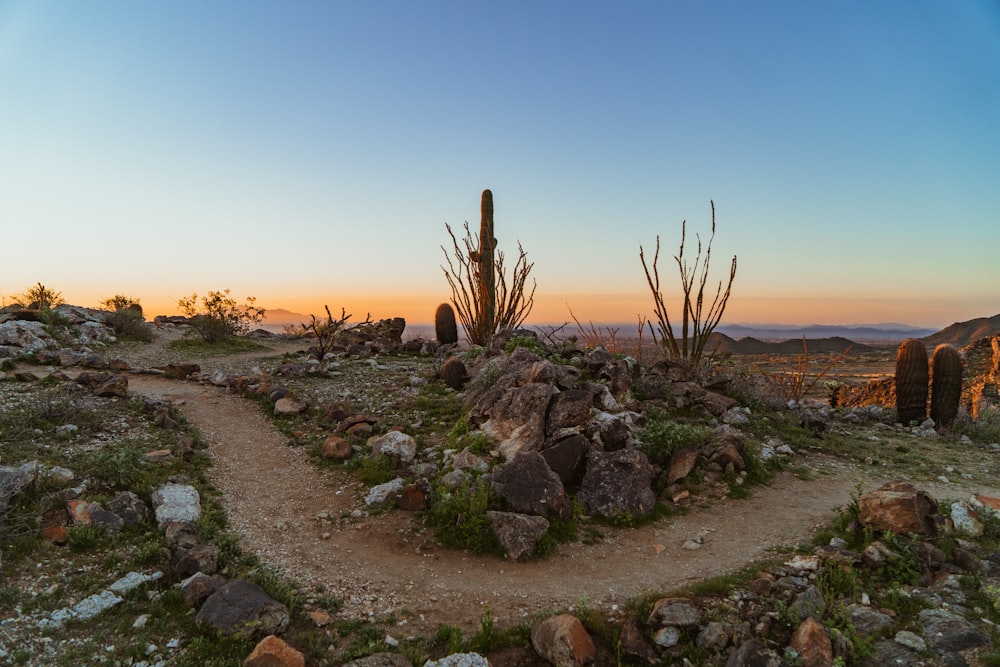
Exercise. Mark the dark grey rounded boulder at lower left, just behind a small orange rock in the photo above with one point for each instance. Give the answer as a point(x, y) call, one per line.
point(243, 609)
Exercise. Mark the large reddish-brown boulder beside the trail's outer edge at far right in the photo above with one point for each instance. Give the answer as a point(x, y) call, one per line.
point(901, 508)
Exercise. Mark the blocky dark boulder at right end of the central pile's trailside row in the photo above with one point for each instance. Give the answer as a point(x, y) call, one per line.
point(618, 483)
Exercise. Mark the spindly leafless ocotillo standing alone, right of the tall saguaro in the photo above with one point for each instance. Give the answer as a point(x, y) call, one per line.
point(696, 324)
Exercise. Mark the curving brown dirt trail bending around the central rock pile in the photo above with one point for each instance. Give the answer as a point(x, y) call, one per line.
point(384, 563)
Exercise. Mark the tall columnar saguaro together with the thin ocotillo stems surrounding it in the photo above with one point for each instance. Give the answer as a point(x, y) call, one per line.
point(484, 301)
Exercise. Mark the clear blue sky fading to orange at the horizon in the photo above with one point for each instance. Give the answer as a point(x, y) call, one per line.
point(310, 153)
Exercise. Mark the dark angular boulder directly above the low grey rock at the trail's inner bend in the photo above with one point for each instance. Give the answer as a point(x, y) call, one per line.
point(530, 486)
